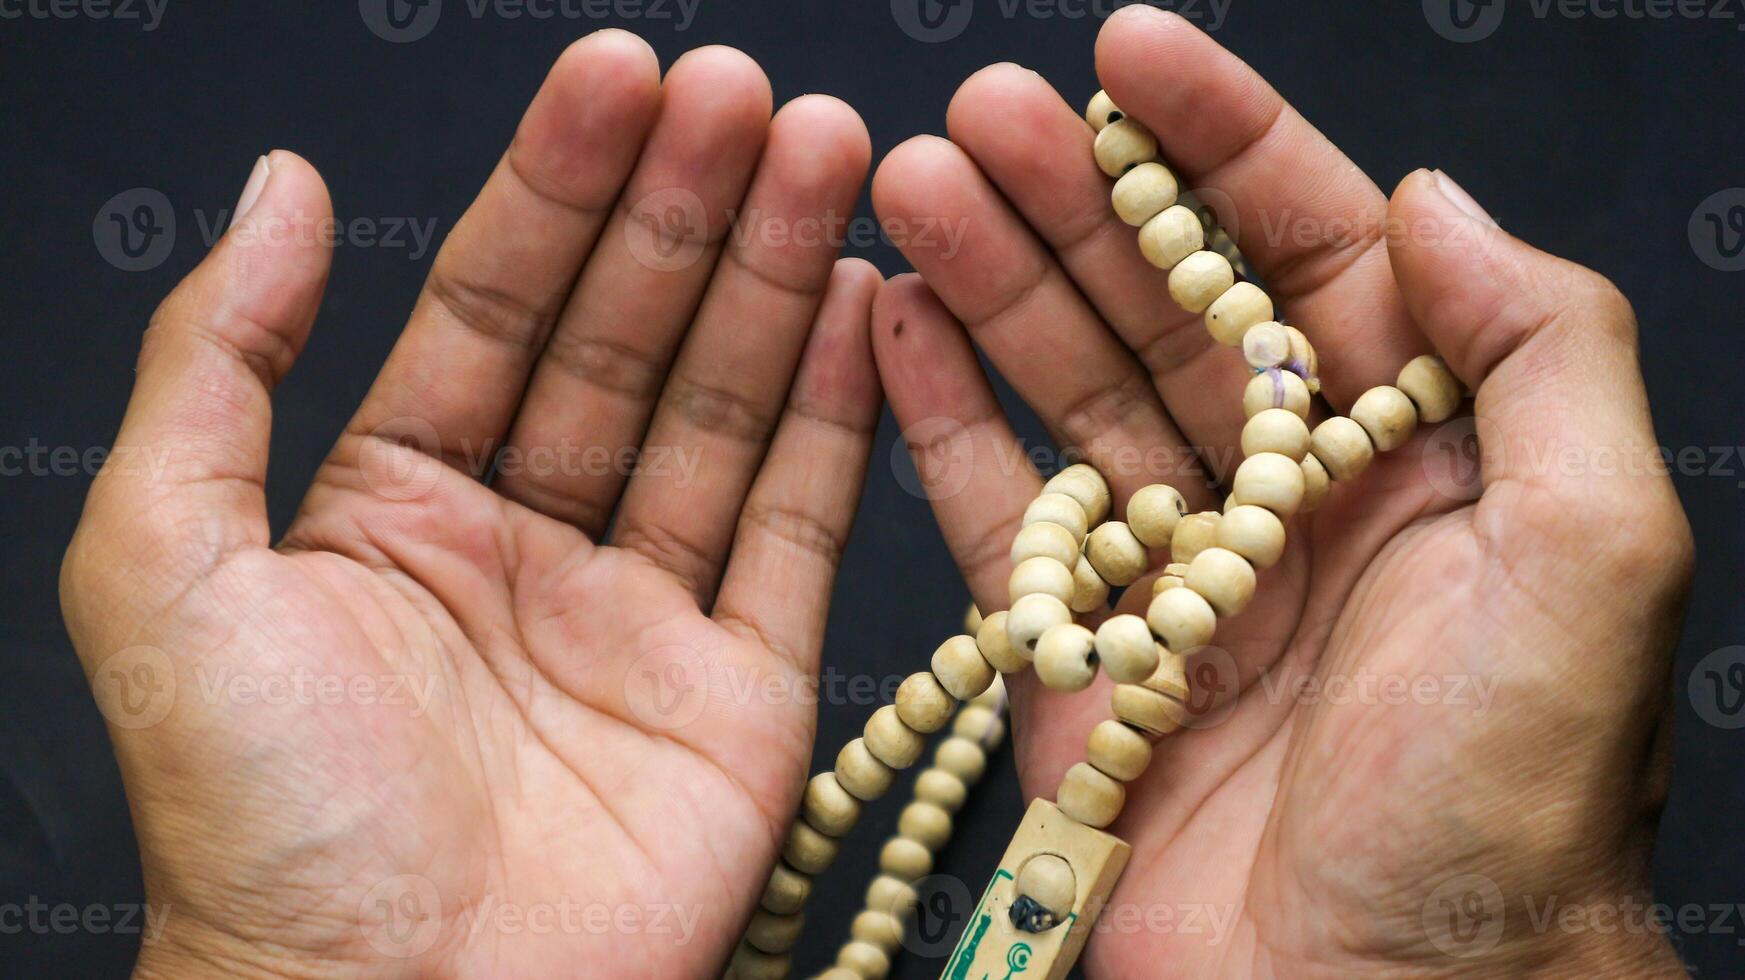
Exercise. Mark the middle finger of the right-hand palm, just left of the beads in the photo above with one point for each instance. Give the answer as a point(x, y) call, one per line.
point(1001, 116)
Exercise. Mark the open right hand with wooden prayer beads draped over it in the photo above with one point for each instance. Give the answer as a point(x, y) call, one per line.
point(1439, 714)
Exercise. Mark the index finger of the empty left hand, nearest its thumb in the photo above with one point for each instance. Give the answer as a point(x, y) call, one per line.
point(500, 280)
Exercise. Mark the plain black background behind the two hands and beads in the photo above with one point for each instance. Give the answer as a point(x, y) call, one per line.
point(1596, 139)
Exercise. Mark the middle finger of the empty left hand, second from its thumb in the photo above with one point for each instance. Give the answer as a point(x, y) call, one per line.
point(596, 385)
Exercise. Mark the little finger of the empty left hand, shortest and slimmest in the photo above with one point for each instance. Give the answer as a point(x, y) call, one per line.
point(797, 519)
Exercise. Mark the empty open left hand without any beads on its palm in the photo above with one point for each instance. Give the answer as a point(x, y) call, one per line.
point(439, 728)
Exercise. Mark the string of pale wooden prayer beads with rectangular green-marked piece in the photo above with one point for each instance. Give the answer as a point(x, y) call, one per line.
point(1060, 868)
